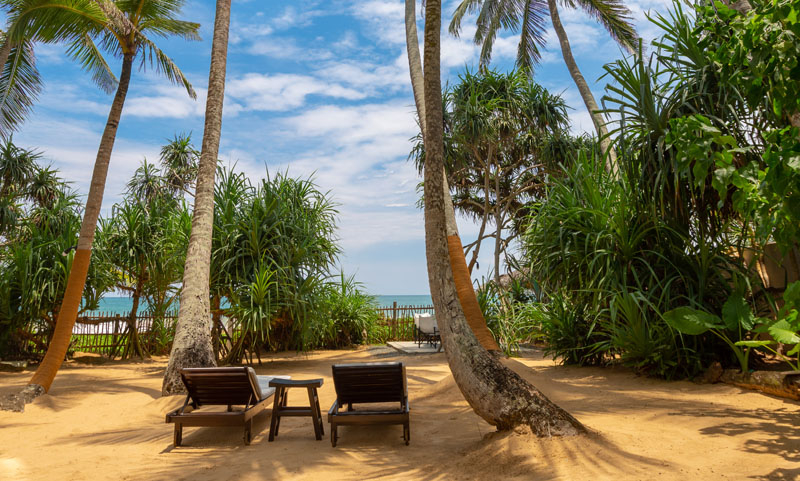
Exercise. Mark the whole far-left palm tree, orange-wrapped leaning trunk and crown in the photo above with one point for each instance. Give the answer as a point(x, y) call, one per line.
point(123, 35)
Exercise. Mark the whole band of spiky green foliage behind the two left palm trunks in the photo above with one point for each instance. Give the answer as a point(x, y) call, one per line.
point(274, 254)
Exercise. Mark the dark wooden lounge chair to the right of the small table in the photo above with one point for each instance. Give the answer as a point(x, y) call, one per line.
point(364, 383)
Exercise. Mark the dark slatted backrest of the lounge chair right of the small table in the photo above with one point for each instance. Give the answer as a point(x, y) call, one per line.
point(370, 382)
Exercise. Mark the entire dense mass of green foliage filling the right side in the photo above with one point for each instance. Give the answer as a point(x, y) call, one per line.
point(651, 268)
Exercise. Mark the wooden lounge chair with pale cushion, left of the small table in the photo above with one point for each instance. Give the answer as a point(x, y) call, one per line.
point(222, 386)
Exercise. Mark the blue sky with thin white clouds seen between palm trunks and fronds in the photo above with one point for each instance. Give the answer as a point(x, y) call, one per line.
point(313, 87)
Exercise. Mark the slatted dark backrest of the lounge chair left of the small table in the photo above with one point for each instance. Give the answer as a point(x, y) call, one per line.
point(220, 385)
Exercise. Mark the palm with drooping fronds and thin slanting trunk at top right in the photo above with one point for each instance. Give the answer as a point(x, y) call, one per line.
point(528, 17)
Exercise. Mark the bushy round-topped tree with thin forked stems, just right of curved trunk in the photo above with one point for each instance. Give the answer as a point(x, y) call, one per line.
point(497, 127)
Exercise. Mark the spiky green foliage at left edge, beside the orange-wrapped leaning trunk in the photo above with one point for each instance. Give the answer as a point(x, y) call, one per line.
point(40, 223)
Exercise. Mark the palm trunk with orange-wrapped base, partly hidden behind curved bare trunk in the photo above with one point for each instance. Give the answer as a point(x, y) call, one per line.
point(463, 278)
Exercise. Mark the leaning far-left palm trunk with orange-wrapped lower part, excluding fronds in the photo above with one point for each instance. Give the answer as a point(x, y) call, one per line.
point(43, 378)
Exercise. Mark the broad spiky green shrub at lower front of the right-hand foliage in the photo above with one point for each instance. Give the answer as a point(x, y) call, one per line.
point(609, 264)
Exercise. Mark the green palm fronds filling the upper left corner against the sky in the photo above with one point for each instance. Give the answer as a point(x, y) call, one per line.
point(87, 28)
